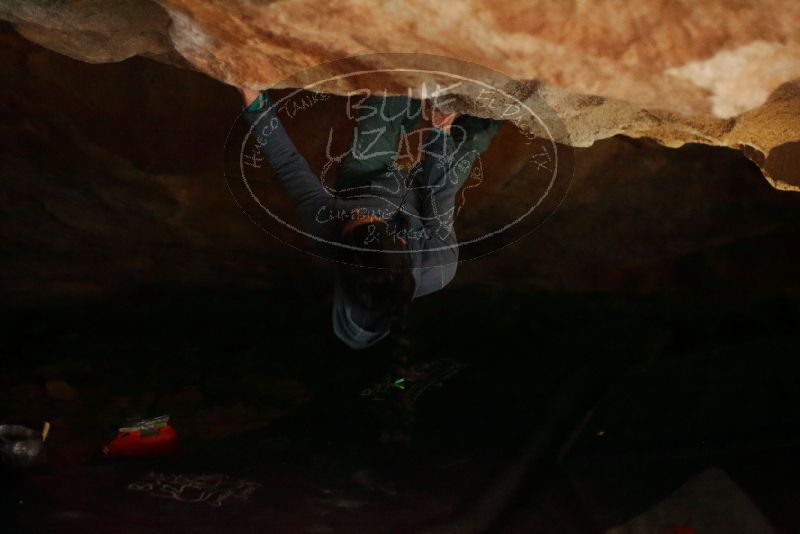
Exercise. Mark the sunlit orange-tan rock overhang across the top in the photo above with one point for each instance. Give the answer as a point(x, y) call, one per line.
point(718, 72)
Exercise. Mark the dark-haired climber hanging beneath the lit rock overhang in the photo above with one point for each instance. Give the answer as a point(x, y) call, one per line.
point(395, 241)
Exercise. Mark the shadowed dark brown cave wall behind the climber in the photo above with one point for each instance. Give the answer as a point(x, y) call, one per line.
point(113, 182)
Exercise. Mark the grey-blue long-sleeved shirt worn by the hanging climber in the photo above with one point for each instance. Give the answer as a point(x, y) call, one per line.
point(428, 207)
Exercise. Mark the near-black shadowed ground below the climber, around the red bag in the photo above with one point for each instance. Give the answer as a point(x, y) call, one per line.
point(676, 387)
